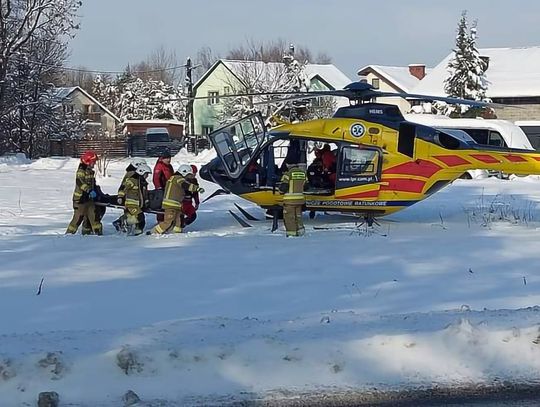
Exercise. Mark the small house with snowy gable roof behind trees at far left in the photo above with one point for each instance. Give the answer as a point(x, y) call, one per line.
point(98, 117)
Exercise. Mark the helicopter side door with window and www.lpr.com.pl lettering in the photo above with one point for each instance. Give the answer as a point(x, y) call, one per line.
point(358, 172)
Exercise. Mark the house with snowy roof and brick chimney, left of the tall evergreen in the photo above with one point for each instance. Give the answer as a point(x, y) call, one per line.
point(394, 79)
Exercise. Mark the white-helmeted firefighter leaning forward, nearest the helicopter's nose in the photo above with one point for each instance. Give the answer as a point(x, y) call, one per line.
point(175, 190)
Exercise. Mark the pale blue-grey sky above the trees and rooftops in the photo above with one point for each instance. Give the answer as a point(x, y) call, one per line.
point(354, 33)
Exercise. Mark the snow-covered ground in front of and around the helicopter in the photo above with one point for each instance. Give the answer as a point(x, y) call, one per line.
point(444, 293)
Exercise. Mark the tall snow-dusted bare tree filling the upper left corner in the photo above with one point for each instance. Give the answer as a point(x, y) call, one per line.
point(33, 43)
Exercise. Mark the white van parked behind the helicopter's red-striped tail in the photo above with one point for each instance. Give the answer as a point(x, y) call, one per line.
point(491, 132)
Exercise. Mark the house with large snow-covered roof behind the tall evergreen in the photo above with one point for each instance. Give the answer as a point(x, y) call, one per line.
point(513, 77)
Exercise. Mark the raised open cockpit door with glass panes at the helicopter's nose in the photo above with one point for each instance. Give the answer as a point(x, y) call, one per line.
point(237, 143)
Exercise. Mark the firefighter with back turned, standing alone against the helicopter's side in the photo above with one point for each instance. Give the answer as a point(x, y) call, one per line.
point(292, 186)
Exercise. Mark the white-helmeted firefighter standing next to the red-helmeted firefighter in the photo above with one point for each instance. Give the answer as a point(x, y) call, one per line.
point(135, 196)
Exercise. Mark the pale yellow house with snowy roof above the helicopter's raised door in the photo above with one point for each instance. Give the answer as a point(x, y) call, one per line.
point(227, 76)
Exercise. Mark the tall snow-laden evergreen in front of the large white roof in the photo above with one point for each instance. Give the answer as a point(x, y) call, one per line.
point(467, 70)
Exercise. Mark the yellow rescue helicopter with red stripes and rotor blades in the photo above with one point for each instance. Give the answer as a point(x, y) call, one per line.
point(382, 163)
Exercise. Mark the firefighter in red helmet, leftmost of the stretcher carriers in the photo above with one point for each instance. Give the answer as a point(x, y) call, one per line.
point(84, 195)
